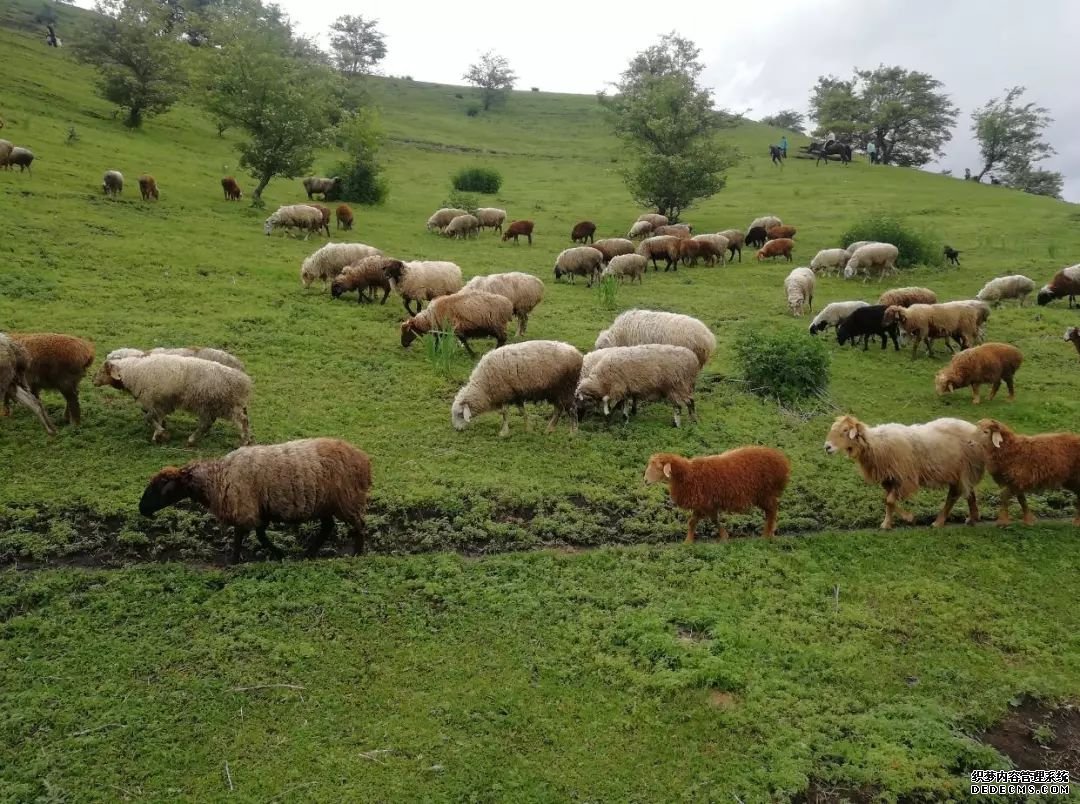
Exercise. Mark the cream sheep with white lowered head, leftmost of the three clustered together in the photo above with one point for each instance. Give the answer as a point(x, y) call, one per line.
point(536, 371)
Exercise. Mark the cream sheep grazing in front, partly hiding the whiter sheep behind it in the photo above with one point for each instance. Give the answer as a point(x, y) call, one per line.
point(640, 373)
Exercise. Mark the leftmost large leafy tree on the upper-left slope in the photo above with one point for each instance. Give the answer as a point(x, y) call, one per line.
point(139, 63)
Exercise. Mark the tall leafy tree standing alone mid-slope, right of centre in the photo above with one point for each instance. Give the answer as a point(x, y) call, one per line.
point(667, 119)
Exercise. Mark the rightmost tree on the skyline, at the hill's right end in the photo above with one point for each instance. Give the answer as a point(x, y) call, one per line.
point(1010, 135)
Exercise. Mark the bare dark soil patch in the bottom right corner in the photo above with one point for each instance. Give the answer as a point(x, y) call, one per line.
point(1035, 736)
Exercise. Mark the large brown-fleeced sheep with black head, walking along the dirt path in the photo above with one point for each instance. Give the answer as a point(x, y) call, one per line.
point(253, 487)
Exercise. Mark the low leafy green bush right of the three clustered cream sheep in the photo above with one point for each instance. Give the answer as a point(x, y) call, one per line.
point(785, 366)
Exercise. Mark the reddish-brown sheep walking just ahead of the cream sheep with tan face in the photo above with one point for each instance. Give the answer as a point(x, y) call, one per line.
point(733, 483)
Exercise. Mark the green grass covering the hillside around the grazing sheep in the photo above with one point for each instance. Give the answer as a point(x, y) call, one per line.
point(523, 677)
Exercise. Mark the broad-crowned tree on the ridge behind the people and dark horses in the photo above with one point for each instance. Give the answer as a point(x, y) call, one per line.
point(903, 113)
